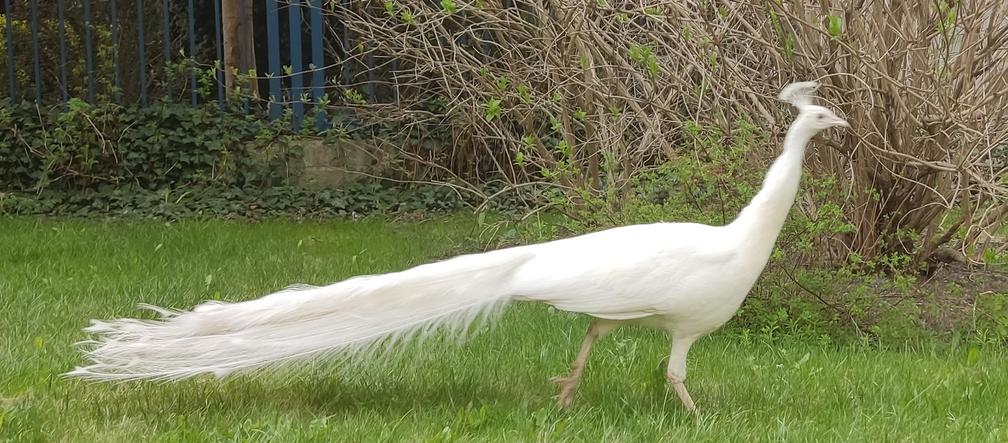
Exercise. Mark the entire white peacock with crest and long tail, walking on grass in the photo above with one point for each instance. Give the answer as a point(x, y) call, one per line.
point(687, 279)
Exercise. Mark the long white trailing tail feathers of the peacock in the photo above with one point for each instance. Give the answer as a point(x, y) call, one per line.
point(348, 319)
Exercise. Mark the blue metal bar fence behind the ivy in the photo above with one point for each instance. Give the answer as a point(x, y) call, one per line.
point(141, 52)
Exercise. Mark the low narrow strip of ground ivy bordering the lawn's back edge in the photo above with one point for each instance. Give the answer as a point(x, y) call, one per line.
point(352, 200)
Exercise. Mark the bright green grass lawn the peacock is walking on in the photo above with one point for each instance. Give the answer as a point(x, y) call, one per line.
point(55, 276)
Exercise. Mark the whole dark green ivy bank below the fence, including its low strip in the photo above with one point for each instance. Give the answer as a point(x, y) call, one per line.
point(176, 161)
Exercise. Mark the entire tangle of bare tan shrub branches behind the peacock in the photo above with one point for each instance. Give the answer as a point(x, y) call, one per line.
point(585, 95)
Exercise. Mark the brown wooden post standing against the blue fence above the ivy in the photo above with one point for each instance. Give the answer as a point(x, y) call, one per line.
point(239, 49)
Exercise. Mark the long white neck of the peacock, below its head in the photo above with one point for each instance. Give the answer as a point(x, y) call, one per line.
point(761, 223)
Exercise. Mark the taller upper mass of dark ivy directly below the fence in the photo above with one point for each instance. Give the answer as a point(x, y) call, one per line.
point(162, 147)
